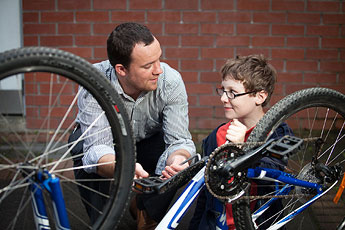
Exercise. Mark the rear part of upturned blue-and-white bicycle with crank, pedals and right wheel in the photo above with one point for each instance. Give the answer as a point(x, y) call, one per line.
point(312, 170)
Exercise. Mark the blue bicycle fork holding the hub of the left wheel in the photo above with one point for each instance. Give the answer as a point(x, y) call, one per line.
point(49, 182)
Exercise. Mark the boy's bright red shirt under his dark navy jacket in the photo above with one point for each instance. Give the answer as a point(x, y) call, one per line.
point(221, 139)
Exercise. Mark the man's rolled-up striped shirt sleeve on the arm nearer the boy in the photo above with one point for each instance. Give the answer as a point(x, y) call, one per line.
point(175, 123)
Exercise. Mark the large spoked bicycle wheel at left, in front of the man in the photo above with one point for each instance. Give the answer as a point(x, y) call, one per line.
point(37, 138)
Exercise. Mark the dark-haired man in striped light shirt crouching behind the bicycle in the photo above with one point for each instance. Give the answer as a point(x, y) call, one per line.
point(155, 98)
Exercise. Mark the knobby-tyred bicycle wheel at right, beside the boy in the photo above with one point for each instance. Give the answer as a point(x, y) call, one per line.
point(317, 116)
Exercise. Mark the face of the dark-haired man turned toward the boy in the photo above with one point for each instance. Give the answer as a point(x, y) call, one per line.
point(144, 69)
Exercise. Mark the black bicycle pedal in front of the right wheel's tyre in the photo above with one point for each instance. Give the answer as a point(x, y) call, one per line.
point(284, 147)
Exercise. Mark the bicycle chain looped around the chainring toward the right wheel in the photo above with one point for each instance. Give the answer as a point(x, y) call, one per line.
point(246, 145)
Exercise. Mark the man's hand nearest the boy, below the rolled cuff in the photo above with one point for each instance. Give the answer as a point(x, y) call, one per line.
point(174, 163)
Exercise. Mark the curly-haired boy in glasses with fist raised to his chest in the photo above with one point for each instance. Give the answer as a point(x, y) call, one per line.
point(247, 86)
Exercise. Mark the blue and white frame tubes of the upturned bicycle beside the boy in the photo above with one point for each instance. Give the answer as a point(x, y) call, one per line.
point(177, 211)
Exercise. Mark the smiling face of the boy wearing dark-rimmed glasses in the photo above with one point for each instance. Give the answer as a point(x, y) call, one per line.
point(241, 107)
